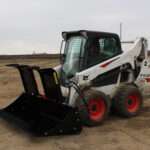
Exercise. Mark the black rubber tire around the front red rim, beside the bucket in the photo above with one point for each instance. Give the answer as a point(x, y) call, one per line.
point(92, 94)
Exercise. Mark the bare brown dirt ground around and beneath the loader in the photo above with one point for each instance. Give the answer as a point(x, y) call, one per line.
point(115, 134)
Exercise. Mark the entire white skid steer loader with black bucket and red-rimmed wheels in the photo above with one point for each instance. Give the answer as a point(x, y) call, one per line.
point(95, 75)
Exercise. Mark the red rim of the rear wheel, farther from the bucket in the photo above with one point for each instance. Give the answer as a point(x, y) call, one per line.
point(133, 103)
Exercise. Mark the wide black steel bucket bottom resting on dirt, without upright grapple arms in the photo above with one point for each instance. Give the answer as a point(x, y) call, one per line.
point(43, 117)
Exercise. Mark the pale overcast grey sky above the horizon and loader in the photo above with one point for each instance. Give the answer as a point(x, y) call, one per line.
point(35, 26)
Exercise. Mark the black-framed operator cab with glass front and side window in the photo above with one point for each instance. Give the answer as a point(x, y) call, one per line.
point(84, 49)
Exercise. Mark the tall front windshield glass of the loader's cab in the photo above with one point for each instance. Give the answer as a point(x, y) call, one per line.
point(73, 50)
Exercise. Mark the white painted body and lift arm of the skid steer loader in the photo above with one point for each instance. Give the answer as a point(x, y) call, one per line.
point(127, 57)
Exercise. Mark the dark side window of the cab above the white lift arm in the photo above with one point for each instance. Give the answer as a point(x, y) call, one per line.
point(101, 49)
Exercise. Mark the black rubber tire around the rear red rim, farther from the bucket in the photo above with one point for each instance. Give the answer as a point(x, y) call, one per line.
point(119, 101)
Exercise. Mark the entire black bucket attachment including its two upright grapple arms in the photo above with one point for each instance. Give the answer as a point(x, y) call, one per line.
point(42, 115)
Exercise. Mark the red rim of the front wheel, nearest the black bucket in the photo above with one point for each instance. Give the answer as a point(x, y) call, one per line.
point(97, 109)
